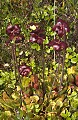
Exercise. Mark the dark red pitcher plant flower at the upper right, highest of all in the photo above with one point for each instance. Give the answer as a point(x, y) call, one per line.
point(61, 27)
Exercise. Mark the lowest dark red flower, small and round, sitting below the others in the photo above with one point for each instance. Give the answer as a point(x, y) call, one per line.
point(24, 70)
